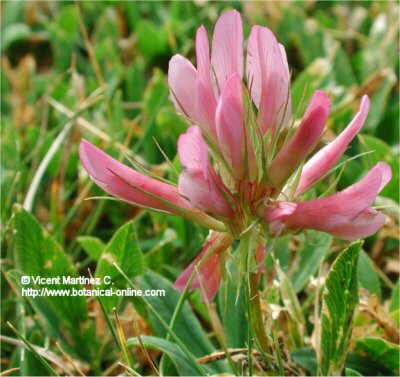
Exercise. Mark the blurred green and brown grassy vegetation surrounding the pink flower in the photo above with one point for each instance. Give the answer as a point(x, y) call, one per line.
point(97, 69)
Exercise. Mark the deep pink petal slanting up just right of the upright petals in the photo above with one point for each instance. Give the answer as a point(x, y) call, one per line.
point(303, 141)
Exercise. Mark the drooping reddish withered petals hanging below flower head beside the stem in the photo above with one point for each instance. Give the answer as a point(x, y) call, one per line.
point(209, 271)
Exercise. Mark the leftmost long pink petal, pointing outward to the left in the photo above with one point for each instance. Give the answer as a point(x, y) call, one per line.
point(127, 184)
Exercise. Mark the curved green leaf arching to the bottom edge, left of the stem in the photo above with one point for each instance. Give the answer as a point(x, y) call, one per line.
point(183, 365)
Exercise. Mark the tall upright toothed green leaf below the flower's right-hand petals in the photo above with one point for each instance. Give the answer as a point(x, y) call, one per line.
point(340, 298)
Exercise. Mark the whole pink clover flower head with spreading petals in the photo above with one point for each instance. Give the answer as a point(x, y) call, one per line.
point(235, 166)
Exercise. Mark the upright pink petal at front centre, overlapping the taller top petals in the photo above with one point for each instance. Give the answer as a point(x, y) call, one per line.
point(230, 125)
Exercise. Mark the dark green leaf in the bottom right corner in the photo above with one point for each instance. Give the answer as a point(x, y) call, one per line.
point(381, 352)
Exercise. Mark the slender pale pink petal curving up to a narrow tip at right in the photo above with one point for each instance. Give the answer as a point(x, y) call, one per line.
point(326, 158)
